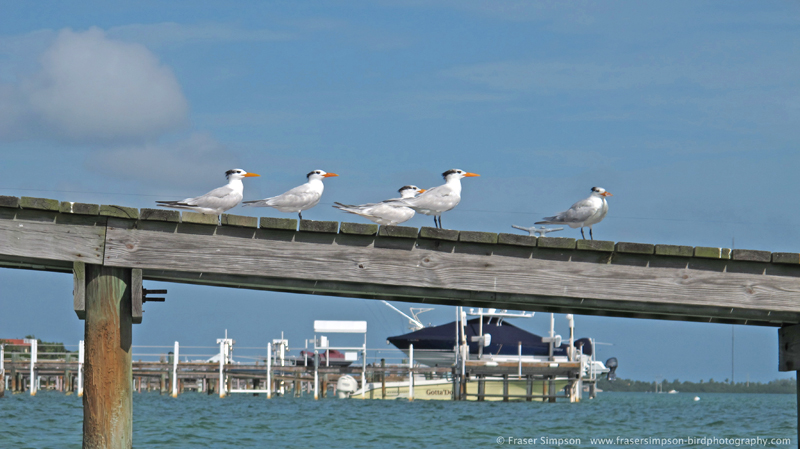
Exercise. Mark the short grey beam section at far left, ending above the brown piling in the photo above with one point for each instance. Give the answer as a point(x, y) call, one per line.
point(48, 240)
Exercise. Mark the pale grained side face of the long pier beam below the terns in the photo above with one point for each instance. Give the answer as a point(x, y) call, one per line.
point(442, 269)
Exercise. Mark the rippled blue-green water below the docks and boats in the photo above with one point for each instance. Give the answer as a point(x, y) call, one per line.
point(53, 420)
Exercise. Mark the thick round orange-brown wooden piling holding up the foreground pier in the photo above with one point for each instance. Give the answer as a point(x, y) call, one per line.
point(108, 401)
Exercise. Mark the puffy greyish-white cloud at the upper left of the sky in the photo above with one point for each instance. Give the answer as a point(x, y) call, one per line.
point(93, 89)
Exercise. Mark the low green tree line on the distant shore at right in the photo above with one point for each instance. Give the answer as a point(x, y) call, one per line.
point(787, 386)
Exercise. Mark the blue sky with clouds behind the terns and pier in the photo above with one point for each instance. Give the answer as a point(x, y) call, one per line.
point(686, 111)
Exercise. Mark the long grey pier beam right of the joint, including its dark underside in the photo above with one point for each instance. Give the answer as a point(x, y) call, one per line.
point(422, 269)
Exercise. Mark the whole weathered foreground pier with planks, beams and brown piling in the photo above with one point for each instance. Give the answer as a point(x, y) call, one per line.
point(103, 244)
